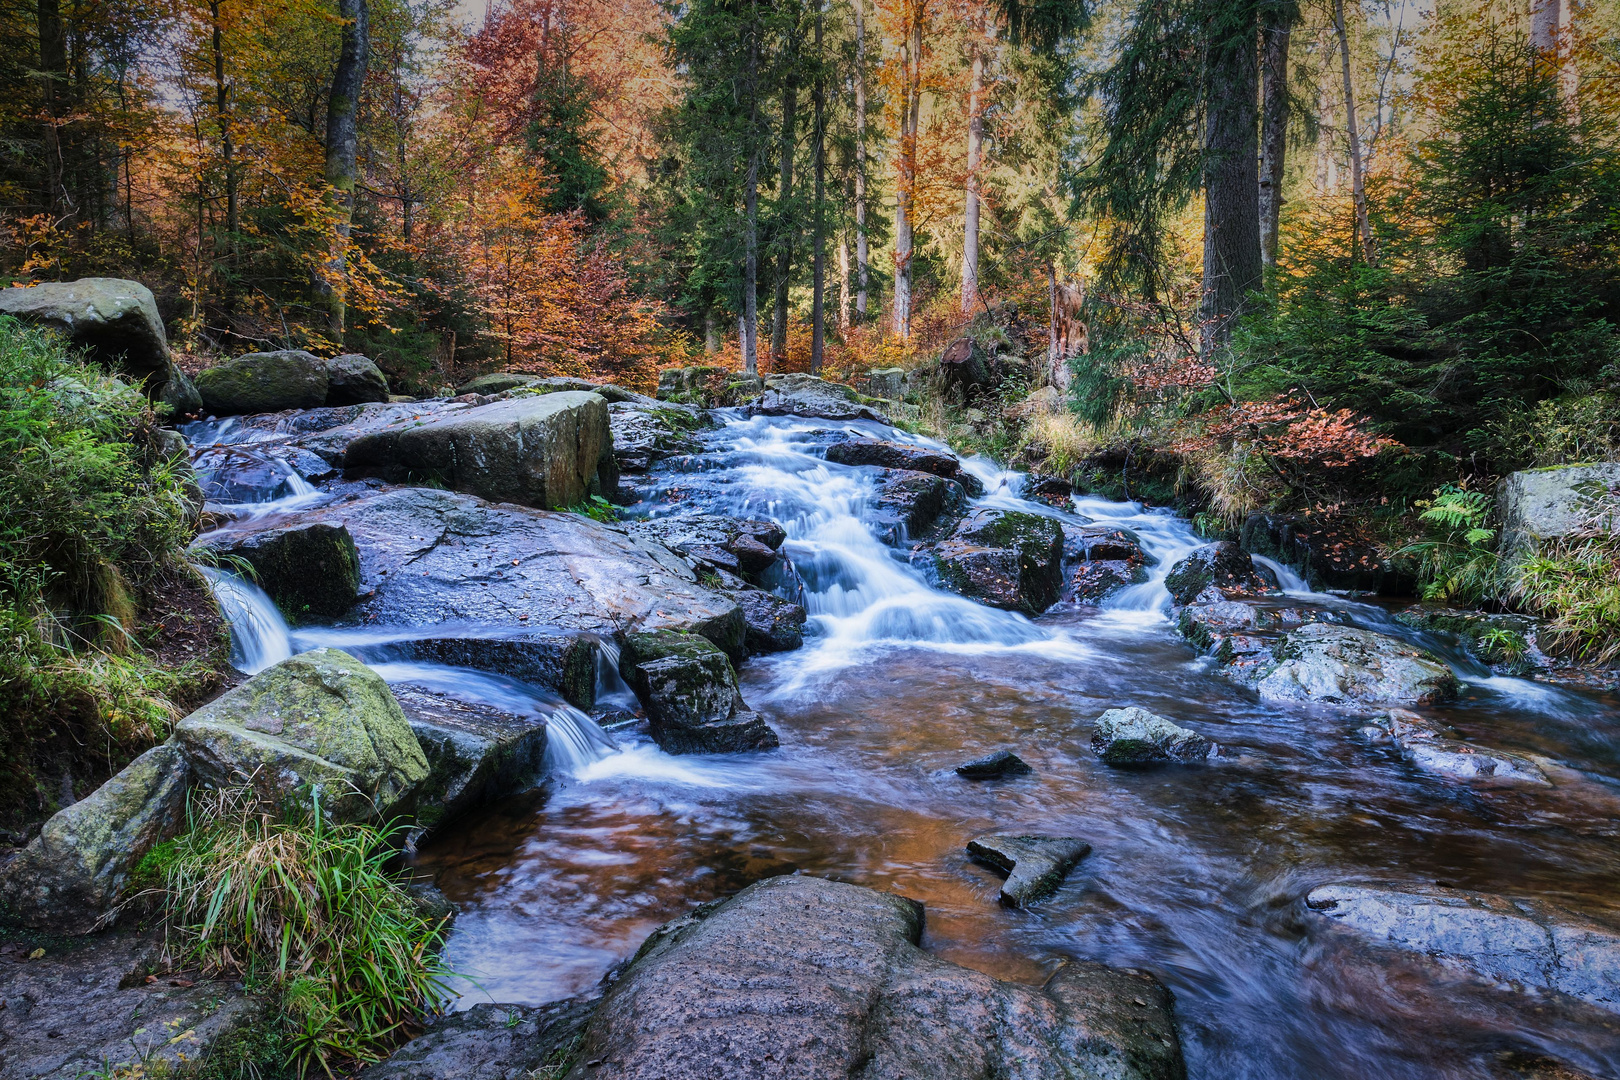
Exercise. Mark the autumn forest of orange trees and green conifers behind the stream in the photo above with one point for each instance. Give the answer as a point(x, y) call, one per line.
point(1331, 252)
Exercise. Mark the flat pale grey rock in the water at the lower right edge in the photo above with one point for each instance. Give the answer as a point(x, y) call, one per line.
point(1525, 943)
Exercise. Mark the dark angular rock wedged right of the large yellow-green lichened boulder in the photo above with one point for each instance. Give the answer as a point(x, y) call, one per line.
point(475, 754)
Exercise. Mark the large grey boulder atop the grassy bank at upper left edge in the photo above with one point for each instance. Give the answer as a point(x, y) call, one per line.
point(113, 320)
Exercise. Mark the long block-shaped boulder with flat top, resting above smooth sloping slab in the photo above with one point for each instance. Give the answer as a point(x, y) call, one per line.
point(535, 451)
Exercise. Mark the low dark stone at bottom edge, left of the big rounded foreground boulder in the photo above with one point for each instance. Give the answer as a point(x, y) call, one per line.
point(493, 1042)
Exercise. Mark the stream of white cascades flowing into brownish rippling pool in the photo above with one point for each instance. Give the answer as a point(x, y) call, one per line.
point(1196, 874)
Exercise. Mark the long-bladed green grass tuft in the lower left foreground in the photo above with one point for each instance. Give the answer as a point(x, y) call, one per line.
point(310, 914)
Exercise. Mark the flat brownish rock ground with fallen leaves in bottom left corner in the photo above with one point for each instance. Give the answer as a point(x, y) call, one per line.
point(93, 1010)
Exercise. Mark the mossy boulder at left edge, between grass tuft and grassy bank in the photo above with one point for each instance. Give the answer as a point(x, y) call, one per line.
point(74, 874)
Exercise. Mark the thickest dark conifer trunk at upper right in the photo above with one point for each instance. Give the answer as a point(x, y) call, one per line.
point(1232, 177)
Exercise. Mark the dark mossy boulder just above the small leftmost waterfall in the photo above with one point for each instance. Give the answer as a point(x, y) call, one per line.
point(310, 569)
